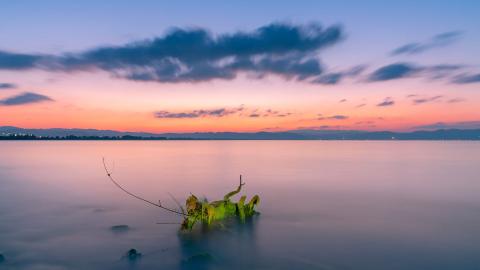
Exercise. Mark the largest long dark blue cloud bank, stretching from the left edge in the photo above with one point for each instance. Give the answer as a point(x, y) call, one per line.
point(194, 55)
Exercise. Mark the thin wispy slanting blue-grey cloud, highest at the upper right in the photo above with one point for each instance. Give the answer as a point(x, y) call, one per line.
point(440, 40)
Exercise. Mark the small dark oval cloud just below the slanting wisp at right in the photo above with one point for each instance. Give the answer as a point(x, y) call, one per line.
point(394, 71)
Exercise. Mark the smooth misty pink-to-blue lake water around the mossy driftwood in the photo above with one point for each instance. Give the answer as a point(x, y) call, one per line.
point(324, 204)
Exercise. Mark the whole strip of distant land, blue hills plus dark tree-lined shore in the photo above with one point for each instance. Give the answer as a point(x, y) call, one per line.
point(8, 133)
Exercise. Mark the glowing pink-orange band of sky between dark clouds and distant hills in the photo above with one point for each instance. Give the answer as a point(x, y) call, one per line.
point(86, 100)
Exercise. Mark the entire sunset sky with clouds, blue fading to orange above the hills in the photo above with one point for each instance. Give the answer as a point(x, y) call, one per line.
point(243, 66)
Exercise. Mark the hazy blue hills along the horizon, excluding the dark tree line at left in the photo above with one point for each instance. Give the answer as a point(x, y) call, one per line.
point(441, 134)
